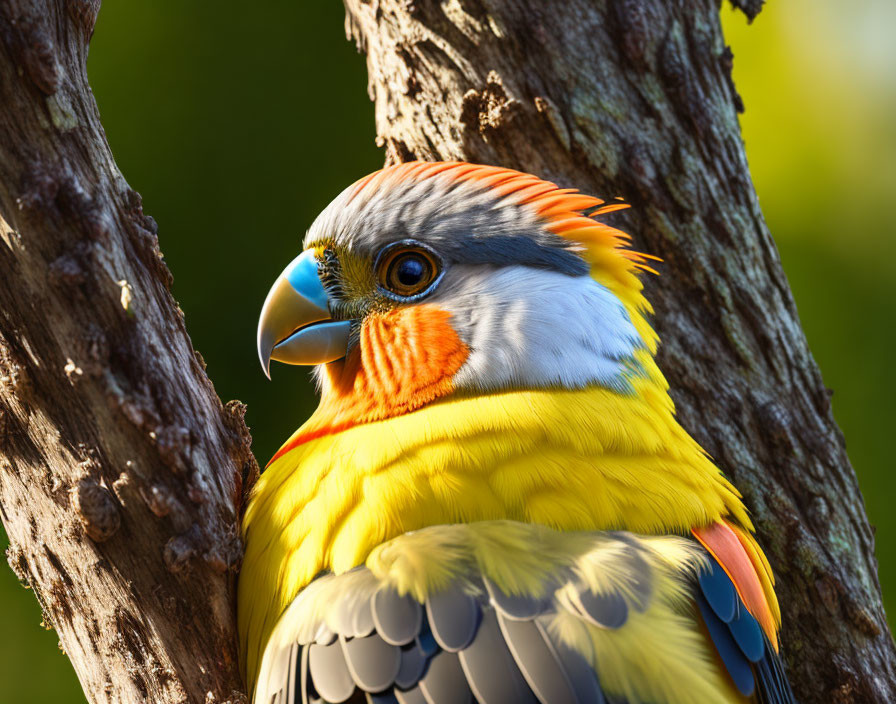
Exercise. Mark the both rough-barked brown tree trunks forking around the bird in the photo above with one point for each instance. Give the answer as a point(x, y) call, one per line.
point(122, 475)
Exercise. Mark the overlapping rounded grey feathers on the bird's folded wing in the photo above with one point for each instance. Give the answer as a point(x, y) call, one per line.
point(455, 649)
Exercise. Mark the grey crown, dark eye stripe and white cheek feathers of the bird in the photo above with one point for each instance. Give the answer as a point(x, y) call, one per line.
point(520, 298)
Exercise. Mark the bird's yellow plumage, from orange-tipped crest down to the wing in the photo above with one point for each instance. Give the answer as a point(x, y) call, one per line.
point(503, 484)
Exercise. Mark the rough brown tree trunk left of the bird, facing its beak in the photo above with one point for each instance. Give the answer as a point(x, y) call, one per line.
point(121, 474)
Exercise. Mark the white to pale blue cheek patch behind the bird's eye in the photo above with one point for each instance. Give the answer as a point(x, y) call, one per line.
point(533, 328)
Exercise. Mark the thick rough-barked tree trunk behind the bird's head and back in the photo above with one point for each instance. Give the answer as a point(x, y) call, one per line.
point(634, 98)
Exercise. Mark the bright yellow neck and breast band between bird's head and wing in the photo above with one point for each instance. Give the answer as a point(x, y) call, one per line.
point(587, 459)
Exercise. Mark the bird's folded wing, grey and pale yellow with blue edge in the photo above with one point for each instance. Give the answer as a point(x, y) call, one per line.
point(499, 631)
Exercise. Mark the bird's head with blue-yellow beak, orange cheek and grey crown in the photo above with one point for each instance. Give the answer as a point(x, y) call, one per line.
point(429, 279)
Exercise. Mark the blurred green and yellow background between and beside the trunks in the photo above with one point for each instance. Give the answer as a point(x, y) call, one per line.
point(238, 122)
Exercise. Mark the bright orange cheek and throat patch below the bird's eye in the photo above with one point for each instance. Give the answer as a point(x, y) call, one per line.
point(405, 359)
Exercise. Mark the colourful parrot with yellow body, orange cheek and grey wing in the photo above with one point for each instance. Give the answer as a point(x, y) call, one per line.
point(494, 501)
